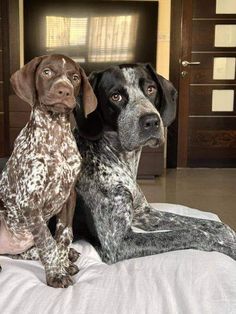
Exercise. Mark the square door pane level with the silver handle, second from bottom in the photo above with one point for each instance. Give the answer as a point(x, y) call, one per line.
point(224, 69)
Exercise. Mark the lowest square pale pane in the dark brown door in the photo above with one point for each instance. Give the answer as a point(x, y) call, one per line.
point(222, 100)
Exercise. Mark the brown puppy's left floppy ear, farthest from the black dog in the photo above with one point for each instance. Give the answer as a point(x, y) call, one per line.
point(23, 81)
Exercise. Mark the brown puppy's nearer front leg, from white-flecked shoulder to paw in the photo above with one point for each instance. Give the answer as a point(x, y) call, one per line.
point(30, 198)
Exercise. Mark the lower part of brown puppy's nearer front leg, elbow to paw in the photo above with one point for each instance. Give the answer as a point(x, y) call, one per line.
point(56, 274)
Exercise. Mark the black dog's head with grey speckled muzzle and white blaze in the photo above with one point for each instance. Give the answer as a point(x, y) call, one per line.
point(134, 101)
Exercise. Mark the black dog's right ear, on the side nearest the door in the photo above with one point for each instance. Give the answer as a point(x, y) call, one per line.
point(166, 104)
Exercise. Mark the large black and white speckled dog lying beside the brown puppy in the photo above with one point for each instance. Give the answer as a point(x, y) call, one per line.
point(134, 106)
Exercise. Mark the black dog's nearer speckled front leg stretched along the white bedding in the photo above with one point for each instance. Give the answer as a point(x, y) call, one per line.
point(114, 221)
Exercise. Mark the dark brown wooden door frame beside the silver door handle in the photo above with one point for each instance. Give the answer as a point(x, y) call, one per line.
point(179, 38)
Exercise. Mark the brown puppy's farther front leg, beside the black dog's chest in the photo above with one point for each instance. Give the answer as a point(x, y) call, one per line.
point(64, 234)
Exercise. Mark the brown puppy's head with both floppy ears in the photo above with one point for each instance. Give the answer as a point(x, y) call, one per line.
point(54, 82)
